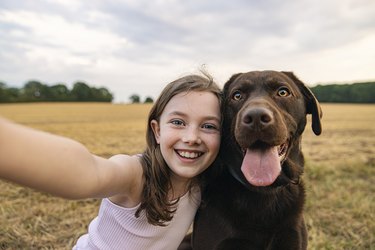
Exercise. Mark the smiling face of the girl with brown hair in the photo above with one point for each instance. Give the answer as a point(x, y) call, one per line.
point(189, 133)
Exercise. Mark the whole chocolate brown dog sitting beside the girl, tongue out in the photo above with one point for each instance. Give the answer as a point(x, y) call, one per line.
point(256, 201)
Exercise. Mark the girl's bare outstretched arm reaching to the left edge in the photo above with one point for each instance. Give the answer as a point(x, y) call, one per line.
point(62, 166)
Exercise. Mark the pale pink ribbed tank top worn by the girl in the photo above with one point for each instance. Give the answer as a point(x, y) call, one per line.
point(116, 227)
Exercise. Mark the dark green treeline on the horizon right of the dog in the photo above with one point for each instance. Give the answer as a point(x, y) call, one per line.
point(351, 93)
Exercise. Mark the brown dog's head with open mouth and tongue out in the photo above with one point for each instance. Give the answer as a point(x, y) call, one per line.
point(264, 117)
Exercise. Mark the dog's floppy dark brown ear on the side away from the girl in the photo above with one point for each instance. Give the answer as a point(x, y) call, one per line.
point(312, 104)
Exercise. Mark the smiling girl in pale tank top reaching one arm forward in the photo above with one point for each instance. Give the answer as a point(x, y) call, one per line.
point(153, 197)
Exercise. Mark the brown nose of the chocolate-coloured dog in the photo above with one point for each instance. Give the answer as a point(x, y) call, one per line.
point(258, 118)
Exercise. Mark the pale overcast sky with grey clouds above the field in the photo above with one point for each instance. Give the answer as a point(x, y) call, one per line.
point(138, 46)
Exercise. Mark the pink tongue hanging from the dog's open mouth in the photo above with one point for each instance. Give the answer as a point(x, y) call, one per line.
point(261, 167)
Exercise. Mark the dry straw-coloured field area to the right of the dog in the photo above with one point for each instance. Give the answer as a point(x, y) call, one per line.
point(340, 177)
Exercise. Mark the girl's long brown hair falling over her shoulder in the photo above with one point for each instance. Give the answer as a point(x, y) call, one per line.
point(158, 208)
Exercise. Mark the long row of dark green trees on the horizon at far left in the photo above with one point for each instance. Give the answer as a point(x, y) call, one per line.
point(35, 91)
